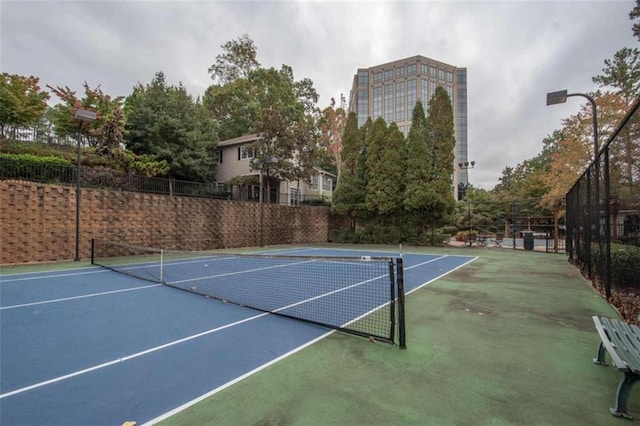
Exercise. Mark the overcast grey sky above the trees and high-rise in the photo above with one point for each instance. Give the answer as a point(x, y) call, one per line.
point(514, 51)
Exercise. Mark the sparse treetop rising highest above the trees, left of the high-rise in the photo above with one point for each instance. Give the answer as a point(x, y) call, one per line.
point(237, 61)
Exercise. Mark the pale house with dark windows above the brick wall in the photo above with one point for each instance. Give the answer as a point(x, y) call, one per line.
point(234, 171)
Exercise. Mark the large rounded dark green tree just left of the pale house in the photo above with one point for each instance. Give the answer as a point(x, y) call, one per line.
point(164, 122)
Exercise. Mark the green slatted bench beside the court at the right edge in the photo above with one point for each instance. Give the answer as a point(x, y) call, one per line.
point(622, 342)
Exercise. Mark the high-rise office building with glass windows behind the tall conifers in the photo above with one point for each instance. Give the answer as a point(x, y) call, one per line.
point(391, 91)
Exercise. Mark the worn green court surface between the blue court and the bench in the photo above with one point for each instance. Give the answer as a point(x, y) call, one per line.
point(505, 340)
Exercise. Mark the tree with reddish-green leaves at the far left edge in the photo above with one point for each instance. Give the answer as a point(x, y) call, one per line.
point(22, 102)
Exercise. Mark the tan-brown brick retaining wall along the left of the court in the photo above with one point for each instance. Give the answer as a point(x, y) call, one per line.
point(37, 222)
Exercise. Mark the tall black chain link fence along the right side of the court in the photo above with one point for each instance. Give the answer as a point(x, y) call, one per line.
point(603, 218)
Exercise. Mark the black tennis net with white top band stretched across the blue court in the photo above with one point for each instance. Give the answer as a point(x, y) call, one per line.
point(358, 295)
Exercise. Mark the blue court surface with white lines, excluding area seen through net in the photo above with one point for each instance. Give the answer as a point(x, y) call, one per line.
point(92, 346)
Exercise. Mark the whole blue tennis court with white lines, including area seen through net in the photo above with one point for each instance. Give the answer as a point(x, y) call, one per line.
point(93, 346)
